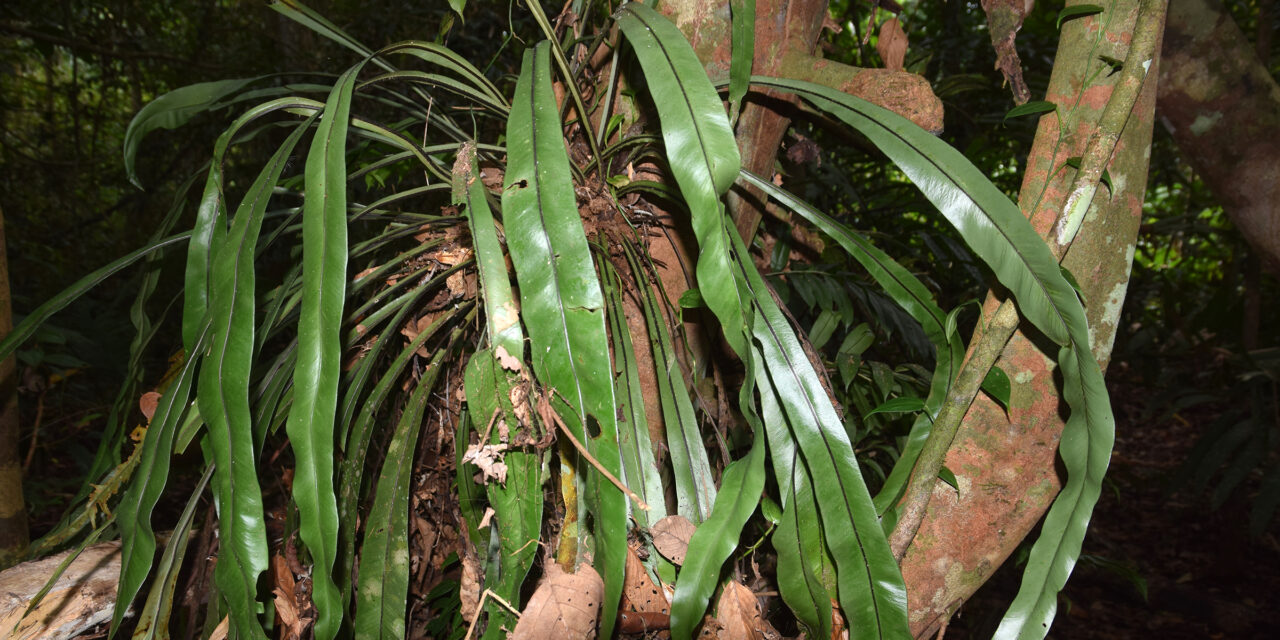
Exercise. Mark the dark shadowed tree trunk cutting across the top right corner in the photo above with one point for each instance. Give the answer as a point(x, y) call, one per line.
point(1223, 108)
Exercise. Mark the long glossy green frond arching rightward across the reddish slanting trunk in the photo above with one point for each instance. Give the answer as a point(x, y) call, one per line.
point(998, 232)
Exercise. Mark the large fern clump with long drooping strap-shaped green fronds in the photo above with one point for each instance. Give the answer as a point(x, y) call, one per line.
point(542, 272)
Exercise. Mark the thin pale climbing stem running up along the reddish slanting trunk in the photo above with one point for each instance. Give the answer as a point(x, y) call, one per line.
point(1004, 322)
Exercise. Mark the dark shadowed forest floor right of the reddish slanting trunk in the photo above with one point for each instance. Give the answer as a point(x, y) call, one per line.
point(1156, 563)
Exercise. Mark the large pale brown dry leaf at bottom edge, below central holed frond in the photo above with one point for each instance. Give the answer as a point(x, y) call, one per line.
point(564, 607)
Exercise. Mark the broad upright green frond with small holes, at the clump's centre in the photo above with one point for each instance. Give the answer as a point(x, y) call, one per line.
point(561, 303)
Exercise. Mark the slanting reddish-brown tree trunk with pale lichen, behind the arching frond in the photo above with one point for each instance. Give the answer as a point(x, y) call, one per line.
point(1005, 463)
